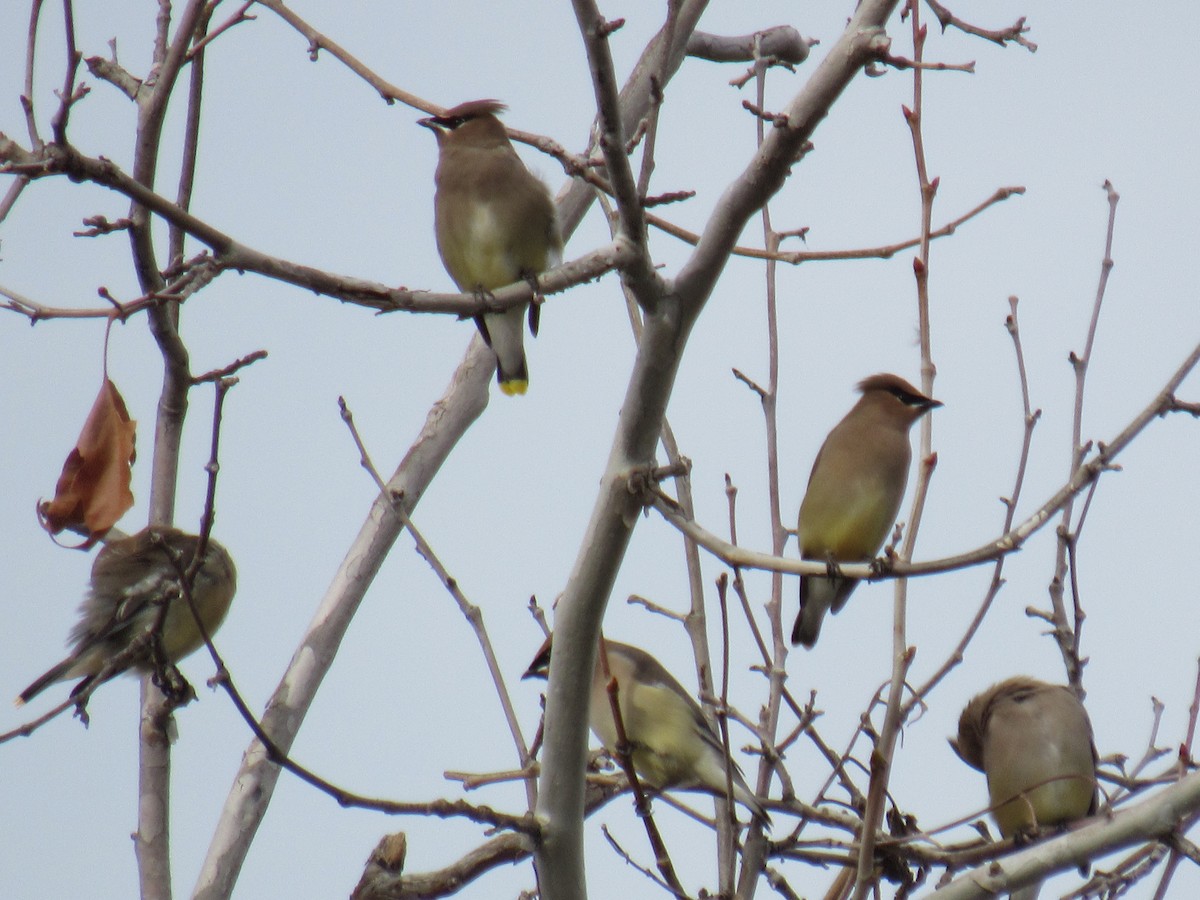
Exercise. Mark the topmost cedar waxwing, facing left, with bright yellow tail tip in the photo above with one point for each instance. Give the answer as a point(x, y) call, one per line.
point(496, 224)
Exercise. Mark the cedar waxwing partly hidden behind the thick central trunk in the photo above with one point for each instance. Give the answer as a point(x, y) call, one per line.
point(671, 741)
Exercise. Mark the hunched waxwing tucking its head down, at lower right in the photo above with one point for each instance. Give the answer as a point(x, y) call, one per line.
point(1034, 742)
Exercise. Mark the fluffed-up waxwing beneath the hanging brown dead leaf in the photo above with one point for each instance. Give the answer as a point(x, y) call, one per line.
point(130, 581)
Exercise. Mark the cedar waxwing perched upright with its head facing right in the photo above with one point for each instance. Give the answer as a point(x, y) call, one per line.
point(855, 493)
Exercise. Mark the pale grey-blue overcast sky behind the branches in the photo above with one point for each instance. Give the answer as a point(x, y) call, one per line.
point(304, 161)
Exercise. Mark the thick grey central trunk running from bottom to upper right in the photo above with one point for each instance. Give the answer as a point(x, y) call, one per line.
point(615, 514)
